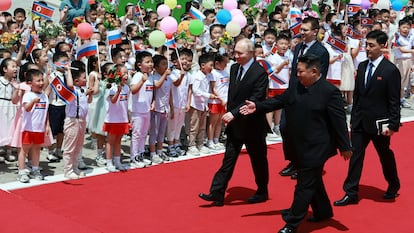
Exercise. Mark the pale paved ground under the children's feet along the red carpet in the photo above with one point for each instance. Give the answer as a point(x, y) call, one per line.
point(53, 171)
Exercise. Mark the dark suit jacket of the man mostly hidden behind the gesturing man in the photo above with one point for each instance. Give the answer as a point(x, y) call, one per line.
point(316, 49)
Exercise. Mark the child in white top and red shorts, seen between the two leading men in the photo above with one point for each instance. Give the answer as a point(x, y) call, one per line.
point(277, 85)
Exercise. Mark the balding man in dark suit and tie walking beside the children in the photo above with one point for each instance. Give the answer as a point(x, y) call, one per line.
point(248, 80)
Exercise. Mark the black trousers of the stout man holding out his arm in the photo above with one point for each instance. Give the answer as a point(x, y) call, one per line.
point(309, 190)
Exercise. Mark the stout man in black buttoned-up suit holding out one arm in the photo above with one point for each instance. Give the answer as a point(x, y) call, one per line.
point(316, 127)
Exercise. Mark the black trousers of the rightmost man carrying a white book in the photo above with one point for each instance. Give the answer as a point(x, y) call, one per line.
point(360, 141)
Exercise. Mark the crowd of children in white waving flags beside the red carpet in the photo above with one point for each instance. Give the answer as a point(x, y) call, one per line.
point(160, 94)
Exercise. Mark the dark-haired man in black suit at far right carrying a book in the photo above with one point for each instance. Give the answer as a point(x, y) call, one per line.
point(376, 97)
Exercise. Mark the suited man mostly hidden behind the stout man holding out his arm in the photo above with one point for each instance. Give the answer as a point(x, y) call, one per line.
point(309, 45)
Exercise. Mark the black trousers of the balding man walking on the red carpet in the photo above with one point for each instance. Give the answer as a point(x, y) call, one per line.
point(257, 149)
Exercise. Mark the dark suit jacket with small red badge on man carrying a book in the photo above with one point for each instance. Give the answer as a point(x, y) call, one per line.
point(379, 100)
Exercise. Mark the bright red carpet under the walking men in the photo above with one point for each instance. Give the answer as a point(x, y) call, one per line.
point(164, 199)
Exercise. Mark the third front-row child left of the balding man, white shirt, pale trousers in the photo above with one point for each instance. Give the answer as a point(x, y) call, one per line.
point(178, 105)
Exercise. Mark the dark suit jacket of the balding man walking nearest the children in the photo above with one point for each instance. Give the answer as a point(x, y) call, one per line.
point(253, 87)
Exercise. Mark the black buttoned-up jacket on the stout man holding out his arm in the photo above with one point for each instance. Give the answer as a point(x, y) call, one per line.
point(315, 122)
